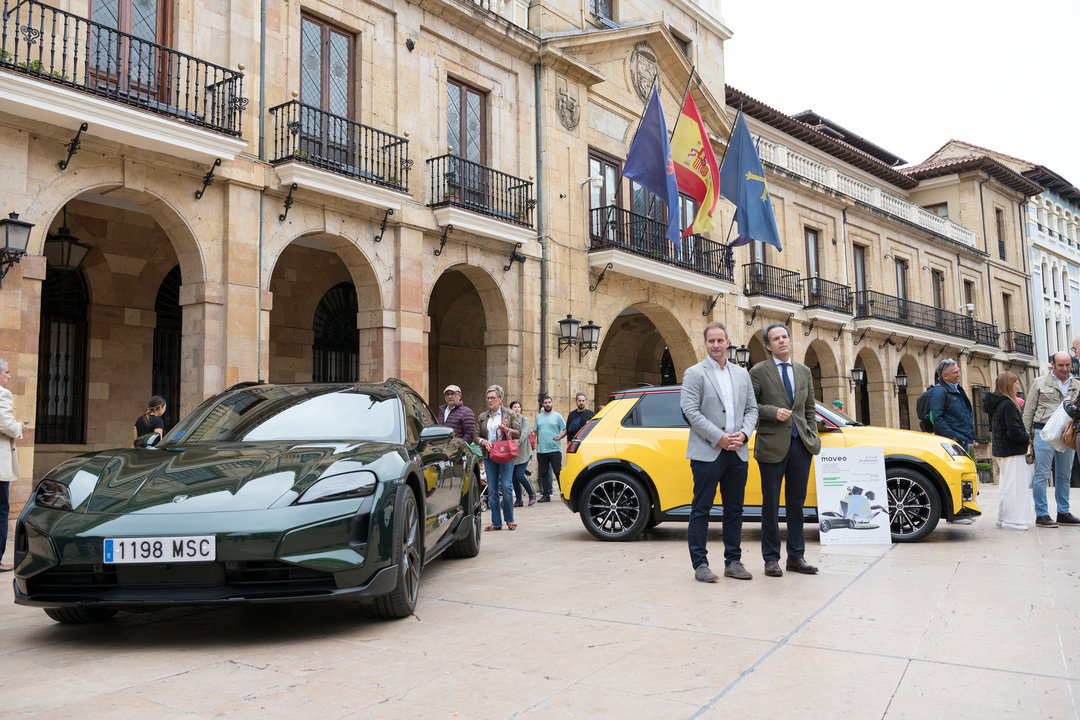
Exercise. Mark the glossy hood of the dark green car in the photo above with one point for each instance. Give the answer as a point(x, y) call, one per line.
point(208, 479)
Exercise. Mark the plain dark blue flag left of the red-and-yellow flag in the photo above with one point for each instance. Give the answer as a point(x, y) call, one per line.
point(650, 164)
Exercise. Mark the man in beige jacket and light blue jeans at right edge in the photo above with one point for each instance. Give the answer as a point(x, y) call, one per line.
point(1045, 397)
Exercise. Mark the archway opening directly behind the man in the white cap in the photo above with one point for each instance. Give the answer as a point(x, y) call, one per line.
point(469, 341)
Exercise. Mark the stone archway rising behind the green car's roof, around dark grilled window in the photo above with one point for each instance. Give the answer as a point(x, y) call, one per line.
point(300, 276)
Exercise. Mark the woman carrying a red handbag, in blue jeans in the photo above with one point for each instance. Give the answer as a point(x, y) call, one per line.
point(497, 433)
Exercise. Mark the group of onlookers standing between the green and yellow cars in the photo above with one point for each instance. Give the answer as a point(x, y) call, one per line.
point(508, 479)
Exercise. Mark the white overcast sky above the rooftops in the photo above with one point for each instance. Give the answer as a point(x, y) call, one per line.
point(910, 76)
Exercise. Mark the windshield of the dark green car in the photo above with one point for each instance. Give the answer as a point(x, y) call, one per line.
point(259, 415)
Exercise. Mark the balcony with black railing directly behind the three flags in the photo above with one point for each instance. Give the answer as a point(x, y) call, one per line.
point(694, 262)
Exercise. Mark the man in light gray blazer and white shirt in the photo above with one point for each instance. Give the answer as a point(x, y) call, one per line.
point(719, 402)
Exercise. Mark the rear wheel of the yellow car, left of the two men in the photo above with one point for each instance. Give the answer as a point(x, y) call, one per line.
point(615, 507)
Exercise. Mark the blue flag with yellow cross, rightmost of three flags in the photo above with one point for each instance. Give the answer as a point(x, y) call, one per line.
point(742, 182)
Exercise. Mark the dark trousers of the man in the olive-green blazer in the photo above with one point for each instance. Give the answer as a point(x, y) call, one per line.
point(795, 468)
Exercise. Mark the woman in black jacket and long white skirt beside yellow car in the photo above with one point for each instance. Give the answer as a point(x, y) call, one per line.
point(1010, 446)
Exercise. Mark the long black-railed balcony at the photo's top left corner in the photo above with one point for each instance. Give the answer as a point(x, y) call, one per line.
point(64, 70)
